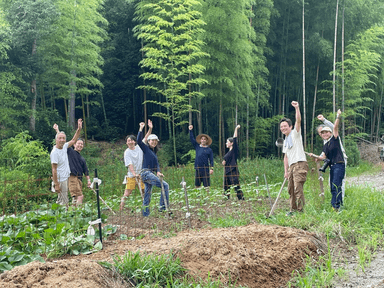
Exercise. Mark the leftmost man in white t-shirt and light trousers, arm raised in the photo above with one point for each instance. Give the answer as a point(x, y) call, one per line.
point(60, 164)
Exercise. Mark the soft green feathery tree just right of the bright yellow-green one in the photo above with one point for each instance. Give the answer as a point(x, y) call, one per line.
point(234, 58)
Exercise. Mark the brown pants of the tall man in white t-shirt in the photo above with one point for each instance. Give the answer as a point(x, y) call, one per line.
point(297, 175)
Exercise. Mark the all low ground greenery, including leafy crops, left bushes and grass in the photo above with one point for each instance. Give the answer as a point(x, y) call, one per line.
point(52, 232)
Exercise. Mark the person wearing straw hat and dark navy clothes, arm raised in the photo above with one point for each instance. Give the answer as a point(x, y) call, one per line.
point(203, 160)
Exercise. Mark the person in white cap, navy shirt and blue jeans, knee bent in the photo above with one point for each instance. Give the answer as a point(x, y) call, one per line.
point(150, 173)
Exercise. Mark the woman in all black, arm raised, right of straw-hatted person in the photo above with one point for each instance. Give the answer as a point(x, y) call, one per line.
point(231, 177)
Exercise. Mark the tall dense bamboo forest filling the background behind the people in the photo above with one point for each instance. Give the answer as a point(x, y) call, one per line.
point(224, 62)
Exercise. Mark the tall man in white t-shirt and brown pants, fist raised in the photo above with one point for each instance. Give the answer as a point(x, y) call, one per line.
point(295, 162)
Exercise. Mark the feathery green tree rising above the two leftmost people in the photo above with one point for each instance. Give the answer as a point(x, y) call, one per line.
point(75, 53)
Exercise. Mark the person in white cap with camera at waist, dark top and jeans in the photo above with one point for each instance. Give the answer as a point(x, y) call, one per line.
point(333, 152)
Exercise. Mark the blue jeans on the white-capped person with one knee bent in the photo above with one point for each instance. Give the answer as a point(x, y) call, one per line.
point(150, 180)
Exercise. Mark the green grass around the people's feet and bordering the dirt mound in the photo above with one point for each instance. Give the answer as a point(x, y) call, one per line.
point(359, 225)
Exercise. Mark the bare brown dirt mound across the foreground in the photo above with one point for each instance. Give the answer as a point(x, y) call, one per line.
point(254, 255)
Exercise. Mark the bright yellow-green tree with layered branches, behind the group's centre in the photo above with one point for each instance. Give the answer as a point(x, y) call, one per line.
point(170, 31)
